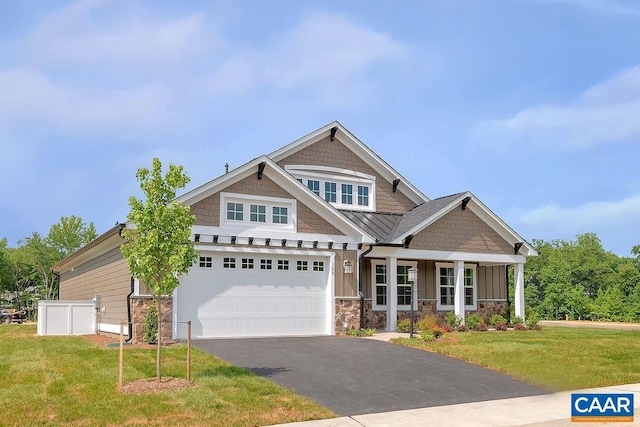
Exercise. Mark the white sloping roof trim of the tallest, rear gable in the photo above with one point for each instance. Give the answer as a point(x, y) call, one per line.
point(357, 147)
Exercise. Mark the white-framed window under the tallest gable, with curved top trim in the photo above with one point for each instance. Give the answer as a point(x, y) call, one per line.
point(344, 189)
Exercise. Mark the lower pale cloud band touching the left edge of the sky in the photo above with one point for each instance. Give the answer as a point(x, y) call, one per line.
point(29, 95)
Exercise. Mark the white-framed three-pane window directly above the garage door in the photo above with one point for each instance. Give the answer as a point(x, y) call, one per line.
point(261, 211)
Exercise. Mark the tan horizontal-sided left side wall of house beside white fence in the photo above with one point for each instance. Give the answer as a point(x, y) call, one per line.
point(107, 275)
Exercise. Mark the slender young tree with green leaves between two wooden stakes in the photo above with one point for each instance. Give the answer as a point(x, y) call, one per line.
point(159, 247)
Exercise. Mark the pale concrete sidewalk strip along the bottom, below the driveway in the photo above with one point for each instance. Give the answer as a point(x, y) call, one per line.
point(549, 410)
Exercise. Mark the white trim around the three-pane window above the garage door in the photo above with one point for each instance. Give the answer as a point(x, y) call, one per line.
point(269, 202)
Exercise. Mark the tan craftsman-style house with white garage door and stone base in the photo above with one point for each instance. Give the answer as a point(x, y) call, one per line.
point(313, 238)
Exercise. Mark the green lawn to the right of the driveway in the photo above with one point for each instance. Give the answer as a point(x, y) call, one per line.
point(555, 358)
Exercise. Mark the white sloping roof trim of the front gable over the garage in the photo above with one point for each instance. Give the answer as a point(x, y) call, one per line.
point(288, 183)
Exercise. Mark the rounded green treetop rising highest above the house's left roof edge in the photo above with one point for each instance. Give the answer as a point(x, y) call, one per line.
point(70, 234)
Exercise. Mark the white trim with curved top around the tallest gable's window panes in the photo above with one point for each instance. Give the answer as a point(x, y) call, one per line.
point(339, 177)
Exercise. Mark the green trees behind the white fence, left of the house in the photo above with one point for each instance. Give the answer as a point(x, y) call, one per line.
point(26, 274)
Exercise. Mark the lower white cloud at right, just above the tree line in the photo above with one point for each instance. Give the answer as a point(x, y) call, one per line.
point(583, 217)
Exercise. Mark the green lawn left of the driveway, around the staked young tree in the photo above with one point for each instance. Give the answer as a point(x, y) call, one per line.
point(70, 381)
